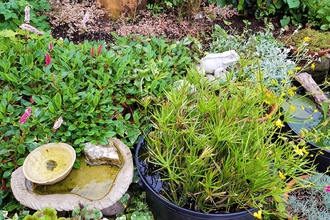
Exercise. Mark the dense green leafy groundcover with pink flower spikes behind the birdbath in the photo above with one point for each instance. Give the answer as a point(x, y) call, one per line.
point(98, 90)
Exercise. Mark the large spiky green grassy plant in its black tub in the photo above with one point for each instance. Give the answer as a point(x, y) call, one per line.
point(209, 156)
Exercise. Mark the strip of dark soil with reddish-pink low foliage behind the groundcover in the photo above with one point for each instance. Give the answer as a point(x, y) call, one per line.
point(167, 25)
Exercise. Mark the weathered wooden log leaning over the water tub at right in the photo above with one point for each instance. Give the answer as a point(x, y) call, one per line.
point(311, 87)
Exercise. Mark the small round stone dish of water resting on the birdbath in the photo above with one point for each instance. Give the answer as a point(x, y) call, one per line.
point(49, 163)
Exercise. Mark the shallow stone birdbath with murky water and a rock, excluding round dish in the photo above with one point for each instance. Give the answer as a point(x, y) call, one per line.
point(105, 175)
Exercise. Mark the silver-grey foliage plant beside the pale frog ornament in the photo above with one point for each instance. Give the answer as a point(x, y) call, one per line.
point(264, 54)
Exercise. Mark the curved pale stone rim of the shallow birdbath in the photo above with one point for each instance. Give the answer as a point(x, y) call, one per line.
point(67, 202)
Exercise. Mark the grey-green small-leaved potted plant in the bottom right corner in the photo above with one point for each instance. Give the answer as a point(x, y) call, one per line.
point(308, 197)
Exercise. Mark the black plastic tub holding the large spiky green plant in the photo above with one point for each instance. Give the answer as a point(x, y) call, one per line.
point(165, 210)
